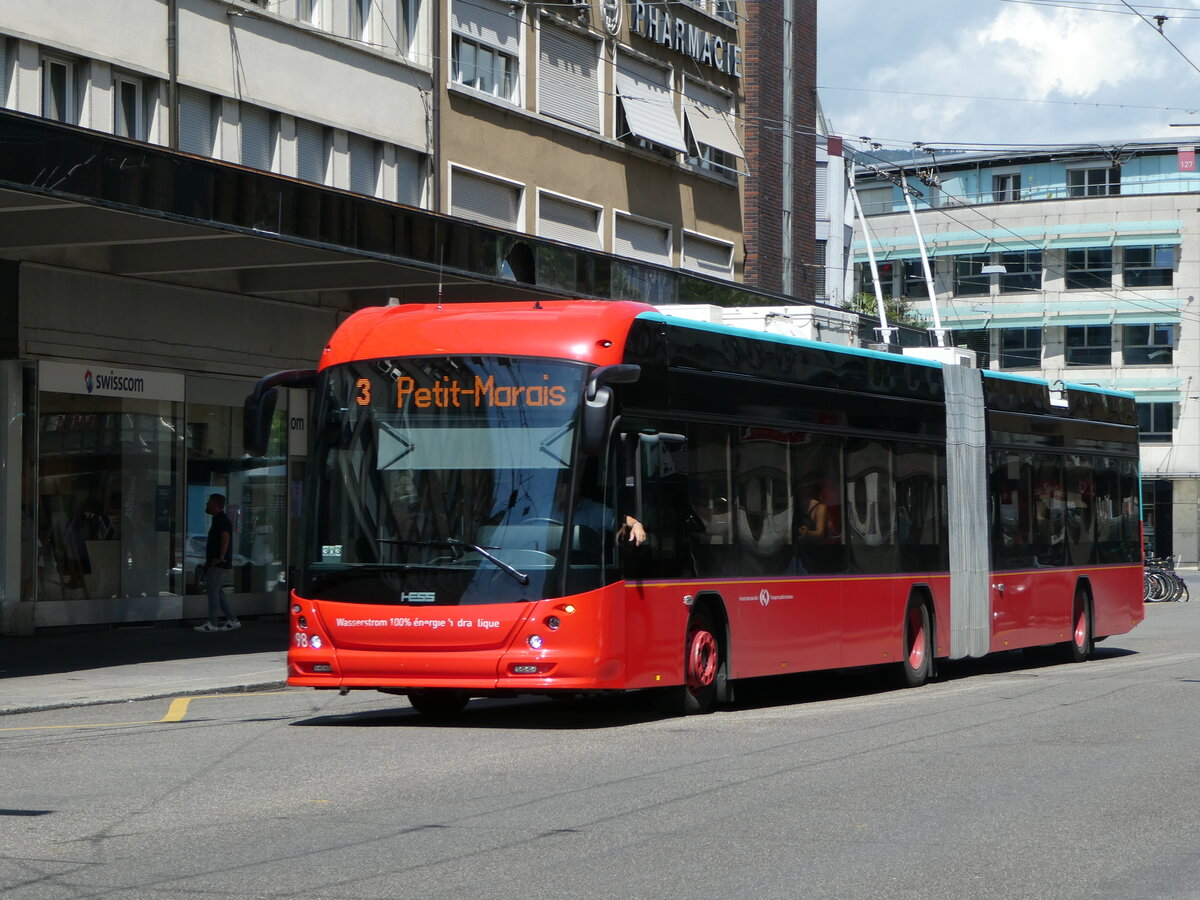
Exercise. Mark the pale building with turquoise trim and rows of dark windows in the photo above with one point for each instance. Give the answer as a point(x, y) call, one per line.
point(1077, 265)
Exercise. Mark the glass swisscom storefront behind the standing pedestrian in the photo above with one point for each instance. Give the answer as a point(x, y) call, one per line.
point(117, 475)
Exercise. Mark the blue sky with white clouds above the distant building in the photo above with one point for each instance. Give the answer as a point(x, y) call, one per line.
point(991, 74)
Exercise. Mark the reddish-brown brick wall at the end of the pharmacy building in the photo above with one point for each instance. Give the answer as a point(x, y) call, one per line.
point(764, 187)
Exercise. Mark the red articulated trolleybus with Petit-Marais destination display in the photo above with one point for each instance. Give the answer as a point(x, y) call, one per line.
point(475, 470)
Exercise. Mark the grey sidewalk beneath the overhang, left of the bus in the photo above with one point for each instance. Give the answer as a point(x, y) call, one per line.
point(115, 665)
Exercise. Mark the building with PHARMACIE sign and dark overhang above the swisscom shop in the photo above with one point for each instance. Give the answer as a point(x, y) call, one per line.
point(195, 193)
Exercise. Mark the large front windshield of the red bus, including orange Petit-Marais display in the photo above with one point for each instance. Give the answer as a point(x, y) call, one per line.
point(441, 481)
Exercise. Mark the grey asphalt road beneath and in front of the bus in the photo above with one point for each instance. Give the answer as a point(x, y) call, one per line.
point(1010, 778)
